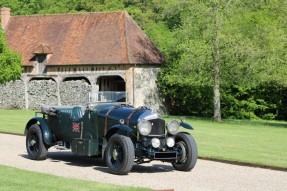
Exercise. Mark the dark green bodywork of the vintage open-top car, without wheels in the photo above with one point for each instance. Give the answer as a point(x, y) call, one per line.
point(86, 130)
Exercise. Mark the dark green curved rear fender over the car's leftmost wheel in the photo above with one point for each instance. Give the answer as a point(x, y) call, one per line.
point(46, 132)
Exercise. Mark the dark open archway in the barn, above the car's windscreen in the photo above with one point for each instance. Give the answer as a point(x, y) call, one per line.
point(111, 83)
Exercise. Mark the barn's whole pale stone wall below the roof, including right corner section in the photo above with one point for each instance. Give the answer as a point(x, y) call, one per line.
point(141, 87)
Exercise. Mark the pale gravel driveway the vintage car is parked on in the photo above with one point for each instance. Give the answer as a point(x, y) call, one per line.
point(206, 175)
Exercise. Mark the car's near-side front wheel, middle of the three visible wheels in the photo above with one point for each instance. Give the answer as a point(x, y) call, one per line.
point(119, 154)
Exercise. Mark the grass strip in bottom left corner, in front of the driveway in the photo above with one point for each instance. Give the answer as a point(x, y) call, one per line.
point(16, 179)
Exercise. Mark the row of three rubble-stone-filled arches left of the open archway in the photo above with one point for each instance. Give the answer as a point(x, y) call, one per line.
point(43, 92)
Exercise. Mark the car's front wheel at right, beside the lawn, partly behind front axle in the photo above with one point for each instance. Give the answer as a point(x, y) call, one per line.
point(187, 148)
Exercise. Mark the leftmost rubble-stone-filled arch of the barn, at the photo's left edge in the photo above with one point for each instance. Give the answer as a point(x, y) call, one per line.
point(12, 95)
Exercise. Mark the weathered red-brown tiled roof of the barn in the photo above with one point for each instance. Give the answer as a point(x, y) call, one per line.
point(79, 39)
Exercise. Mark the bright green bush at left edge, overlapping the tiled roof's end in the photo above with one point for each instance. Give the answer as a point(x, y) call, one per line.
point(10, 62)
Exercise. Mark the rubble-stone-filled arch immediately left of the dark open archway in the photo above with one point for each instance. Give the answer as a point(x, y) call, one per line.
point(75, 92)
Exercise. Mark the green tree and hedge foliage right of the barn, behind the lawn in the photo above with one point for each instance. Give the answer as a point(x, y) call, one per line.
point(251, 55)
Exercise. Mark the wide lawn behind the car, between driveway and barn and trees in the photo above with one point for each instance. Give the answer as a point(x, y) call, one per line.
point(257, 142)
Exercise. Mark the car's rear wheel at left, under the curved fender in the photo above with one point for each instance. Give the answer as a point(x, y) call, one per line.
point(34, 143)
